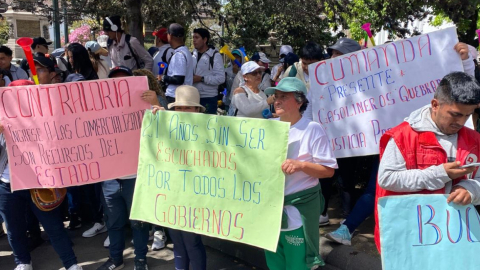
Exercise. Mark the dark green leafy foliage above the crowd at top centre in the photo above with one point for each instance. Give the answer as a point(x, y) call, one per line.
point(248, 23)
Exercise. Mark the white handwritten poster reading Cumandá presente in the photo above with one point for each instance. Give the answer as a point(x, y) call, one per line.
point(359, 96)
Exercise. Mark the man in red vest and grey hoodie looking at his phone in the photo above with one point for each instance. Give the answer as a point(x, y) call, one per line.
point(425, 154)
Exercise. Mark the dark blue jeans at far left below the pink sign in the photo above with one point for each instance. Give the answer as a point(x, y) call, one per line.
point(13, 207)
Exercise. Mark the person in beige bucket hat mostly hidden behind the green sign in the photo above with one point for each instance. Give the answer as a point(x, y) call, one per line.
point(187, 247)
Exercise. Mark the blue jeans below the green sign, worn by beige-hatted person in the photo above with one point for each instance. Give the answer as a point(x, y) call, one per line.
point(188, 248)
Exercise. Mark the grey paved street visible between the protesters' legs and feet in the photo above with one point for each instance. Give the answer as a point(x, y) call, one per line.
point(91, 253)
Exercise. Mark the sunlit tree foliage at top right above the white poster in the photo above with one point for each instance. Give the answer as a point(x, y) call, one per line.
point(395, 15)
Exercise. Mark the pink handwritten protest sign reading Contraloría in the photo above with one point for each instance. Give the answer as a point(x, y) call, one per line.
point(71, 134)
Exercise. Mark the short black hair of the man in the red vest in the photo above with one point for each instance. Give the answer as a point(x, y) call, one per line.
point(458, 87)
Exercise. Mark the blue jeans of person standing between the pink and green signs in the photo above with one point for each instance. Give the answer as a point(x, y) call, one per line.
point(118, 196)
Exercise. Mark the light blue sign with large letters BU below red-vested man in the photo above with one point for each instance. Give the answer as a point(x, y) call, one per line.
point(424, 232)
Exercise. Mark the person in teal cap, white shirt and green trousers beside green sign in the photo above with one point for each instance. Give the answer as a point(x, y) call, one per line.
point(309, 158)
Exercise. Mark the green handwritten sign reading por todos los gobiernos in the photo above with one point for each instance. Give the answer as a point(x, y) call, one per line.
point(212, 175)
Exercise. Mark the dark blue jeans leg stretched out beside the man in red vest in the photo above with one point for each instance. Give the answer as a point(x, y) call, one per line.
point(366, 203)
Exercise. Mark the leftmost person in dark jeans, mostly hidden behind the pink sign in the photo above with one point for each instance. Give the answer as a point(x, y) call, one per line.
point(12, 209)
